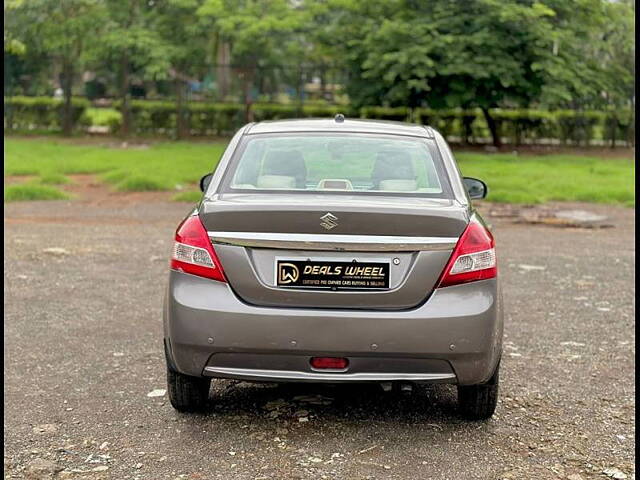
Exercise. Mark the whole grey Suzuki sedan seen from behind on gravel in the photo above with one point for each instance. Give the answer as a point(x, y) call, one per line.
point(335, 251)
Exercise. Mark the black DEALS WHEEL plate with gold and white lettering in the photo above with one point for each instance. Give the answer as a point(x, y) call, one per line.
point(332, 275)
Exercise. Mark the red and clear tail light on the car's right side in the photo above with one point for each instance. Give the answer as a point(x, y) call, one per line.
point(474, 257)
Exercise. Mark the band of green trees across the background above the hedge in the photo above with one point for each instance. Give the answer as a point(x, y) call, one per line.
point(575, 55)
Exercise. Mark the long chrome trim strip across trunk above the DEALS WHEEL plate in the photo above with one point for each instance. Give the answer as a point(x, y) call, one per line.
point(352, 243)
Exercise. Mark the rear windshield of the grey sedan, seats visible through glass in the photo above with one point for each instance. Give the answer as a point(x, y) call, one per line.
point(348, 163)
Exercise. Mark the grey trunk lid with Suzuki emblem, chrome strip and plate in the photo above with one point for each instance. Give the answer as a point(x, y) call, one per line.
point(252, 233)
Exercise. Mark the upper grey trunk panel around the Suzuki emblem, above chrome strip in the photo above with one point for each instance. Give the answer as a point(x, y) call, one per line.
point(357, 214)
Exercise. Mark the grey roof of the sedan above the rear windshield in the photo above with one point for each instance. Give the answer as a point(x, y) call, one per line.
point(334, 126)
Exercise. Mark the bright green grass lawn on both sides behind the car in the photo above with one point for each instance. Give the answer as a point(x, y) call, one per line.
point(176, 165)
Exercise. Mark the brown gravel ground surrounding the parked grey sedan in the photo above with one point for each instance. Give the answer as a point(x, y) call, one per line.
point(82, 351)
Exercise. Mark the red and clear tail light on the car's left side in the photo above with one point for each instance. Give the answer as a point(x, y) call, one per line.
point(193, 252)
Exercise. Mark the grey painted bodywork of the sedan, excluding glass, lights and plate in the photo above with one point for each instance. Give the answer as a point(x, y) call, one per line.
point(250, 329)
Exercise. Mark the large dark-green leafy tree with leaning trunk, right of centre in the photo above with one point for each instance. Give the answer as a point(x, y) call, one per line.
point(451, 53)
